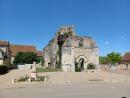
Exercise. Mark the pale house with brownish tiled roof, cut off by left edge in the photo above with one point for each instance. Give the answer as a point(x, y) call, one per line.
point(4, 52)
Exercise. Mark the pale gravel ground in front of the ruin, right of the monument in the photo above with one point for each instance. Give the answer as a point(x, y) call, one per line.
point(84, 77)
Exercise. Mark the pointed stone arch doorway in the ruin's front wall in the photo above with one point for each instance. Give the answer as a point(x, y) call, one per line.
point(81, 62)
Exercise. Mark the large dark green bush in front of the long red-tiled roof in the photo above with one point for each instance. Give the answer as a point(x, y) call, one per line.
point(25, 57)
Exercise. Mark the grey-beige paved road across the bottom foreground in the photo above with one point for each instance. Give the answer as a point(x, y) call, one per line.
point(69, 91)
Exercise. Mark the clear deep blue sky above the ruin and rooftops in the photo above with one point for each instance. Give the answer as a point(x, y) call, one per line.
point(35, 22)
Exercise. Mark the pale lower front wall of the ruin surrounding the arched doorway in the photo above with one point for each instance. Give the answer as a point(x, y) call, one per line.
point(72, 55)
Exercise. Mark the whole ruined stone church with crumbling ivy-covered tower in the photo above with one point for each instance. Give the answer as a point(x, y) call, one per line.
point(67, 50)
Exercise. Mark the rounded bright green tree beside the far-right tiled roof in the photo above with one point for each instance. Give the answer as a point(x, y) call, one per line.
point(114, 58)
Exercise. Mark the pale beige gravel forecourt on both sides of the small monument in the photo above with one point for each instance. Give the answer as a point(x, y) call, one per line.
point(97, 76)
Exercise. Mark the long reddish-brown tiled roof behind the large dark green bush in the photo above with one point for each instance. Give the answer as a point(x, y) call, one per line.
point(21, 48)
